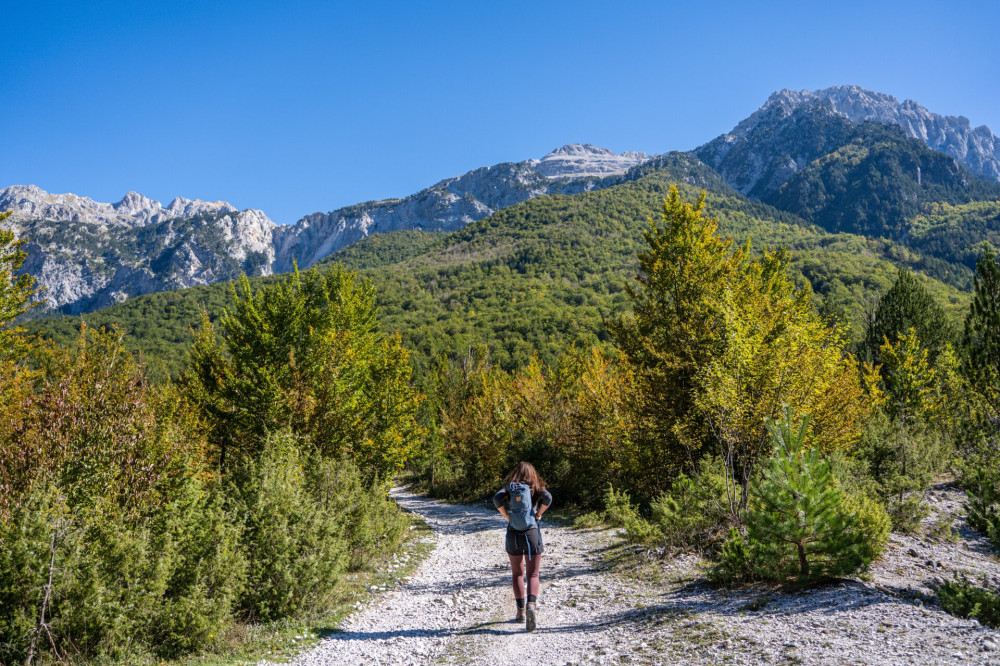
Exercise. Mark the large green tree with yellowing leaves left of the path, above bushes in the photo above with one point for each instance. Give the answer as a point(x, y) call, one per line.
point(306, 354)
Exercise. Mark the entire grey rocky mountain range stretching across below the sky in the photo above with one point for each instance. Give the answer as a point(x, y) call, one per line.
point(843, 158)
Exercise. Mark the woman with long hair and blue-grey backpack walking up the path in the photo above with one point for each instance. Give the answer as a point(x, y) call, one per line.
point(522, 501)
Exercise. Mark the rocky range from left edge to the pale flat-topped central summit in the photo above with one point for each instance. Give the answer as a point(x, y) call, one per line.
point(89, 255)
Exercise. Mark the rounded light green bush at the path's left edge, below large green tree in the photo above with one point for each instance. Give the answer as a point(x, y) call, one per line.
point(307, 520)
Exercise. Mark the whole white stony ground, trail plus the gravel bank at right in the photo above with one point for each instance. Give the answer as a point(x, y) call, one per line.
point(457, 608)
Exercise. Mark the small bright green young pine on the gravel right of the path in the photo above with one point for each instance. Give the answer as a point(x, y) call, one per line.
point(797, 525)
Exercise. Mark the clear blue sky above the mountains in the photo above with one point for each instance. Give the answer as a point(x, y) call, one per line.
point(295, 107)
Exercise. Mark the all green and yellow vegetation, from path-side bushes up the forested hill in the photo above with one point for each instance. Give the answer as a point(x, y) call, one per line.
point(715, 403)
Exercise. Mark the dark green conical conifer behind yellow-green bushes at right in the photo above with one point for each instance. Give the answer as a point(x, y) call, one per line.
point(907, 305)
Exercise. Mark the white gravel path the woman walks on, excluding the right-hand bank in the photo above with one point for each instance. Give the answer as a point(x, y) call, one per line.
point(458, 607)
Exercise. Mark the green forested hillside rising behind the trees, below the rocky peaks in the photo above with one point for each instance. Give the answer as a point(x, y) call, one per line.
point(541, 276)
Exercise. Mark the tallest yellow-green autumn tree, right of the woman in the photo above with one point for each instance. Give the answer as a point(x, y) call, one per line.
point(720, 341)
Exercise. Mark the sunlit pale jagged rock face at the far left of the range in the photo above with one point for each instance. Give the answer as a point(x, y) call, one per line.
point(88, 255)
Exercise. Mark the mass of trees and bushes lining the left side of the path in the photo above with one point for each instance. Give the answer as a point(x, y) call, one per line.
point(148, 522)
